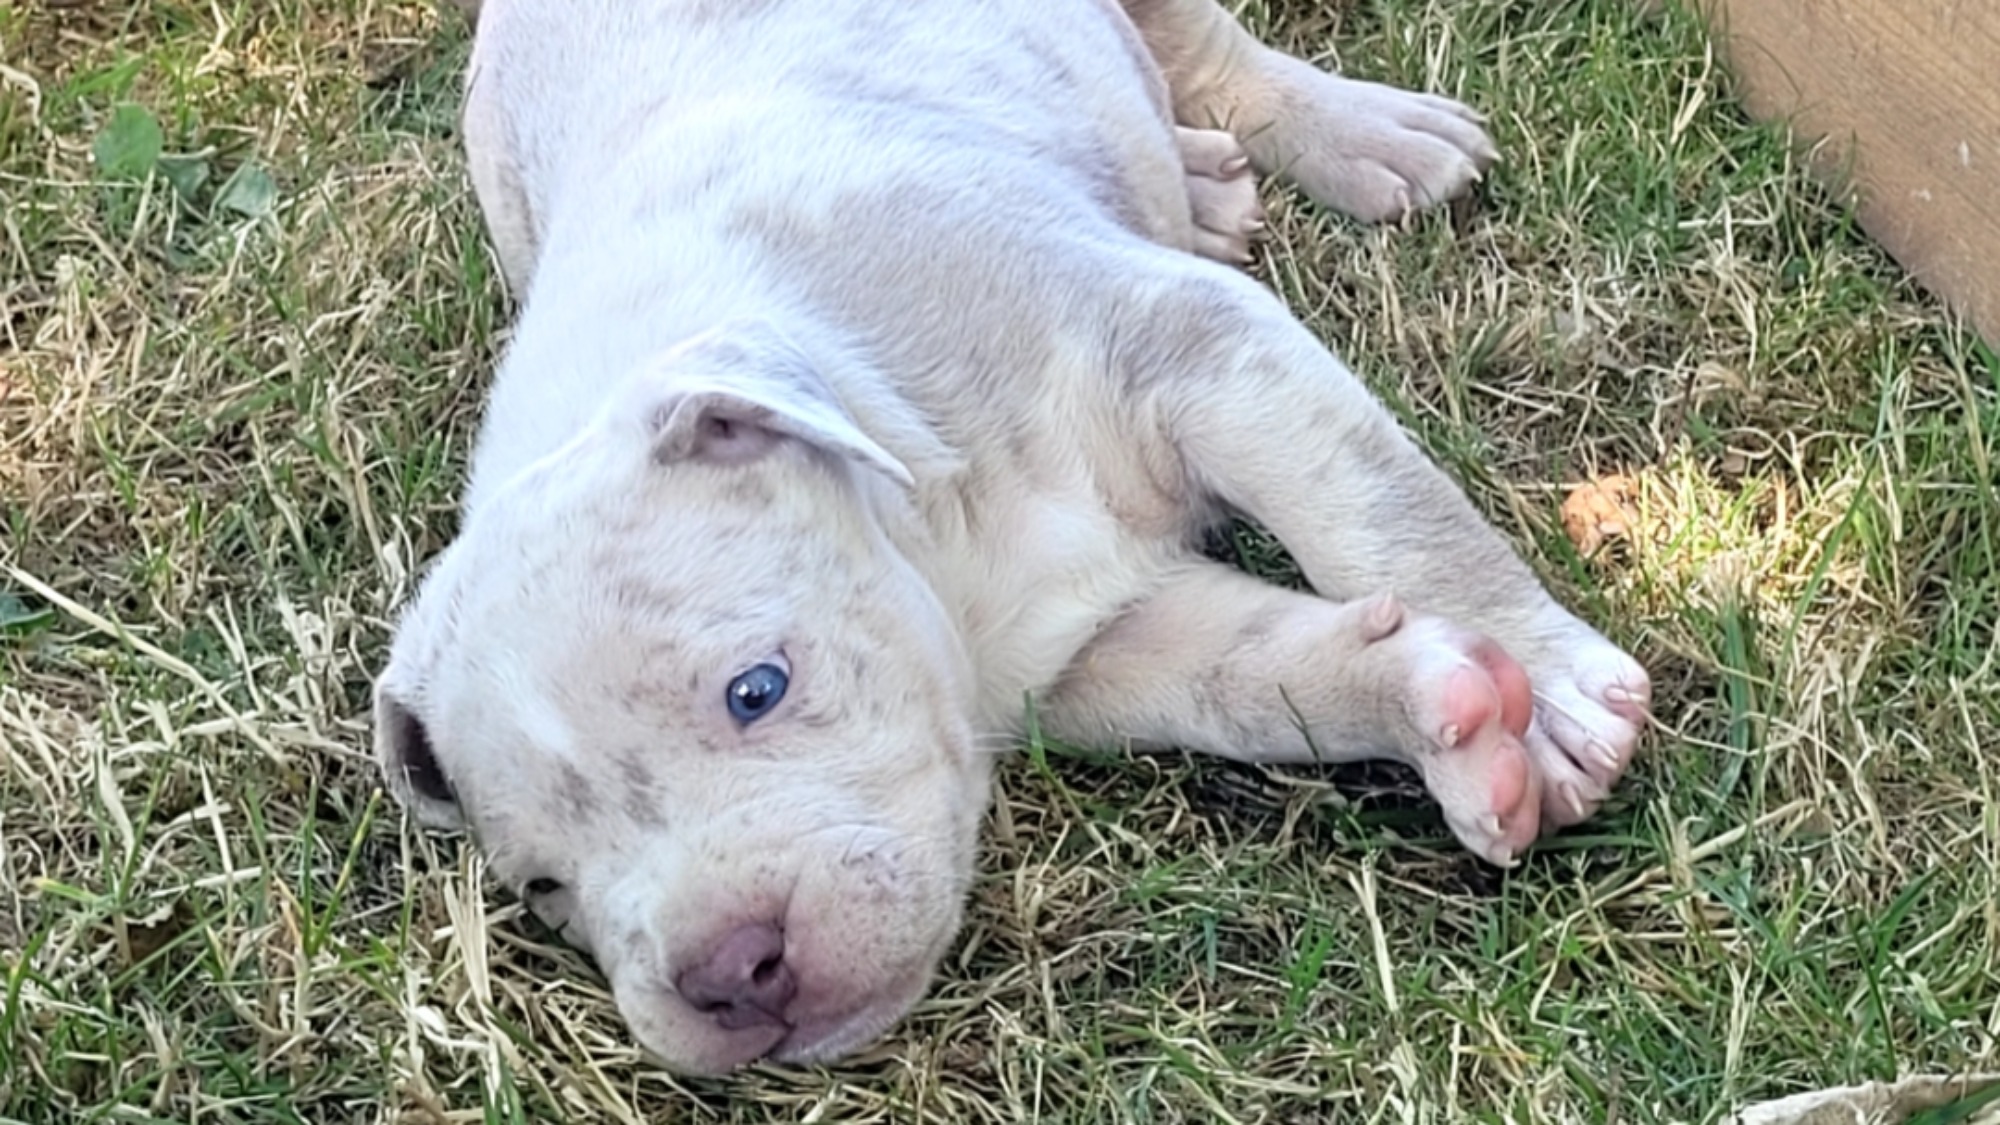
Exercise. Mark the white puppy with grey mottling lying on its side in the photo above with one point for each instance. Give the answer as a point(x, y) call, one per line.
point(867, 393)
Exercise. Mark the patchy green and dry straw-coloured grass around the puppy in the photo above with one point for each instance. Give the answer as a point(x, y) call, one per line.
point(237, 391)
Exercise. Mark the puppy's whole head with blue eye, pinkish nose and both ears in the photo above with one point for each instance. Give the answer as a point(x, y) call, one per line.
point(701, 716)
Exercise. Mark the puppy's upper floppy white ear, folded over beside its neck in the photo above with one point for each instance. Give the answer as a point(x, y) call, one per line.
point(739, 391)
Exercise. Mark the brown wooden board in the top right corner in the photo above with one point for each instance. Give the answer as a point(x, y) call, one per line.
point(1907, 97)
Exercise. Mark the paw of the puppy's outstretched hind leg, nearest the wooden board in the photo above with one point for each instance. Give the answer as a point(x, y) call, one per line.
point(1373, 151)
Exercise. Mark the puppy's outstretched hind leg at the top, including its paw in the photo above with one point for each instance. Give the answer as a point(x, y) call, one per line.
point(1365, 149)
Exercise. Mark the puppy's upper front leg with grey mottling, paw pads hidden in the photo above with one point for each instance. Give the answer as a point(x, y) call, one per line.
point(1269, 423)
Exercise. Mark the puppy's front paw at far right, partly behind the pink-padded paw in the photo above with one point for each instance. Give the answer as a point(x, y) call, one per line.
point(1591, 704)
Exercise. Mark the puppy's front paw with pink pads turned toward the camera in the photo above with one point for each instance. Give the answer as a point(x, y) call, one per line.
point(1465, 708)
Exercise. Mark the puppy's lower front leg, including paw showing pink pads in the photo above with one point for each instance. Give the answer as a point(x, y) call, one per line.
point(1221, 664)
